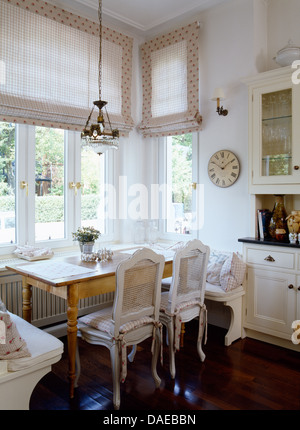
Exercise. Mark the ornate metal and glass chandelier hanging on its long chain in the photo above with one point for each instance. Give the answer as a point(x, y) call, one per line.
point(95, 135)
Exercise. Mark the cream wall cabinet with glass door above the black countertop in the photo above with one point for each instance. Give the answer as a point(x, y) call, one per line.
point(274, 133)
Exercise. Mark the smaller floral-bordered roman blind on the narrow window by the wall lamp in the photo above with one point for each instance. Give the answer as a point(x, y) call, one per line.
point(170, 78)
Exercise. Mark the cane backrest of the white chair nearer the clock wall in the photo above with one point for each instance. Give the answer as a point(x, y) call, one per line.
point(189, 274)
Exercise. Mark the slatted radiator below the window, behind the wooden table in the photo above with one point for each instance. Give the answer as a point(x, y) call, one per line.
point(47, 309)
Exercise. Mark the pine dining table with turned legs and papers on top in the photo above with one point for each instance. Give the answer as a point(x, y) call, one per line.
point(71, 279)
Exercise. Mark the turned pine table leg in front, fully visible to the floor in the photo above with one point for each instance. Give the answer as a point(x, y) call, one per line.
point(72, 313)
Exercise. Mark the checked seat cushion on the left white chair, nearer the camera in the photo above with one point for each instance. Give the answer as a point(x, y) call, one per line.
point(102, 320)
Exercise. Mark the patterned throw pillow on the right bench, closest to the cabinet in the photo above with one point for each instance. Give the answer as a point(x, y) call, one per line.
point(232, 273)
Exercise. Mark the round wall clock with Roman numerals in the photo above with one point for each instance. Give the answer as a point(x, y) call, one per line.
point(223, 168)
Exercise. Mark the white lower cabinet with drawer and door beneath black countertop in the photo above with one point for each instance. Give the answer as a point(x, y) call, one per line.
point(273, 289)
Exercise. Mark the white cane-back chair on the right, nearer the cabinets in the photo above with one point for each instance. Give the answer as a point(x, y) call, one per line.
point(185, 299)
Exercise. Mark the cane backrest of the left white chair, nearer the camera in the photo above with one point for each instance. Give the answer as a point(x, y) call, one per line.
point(138, 287)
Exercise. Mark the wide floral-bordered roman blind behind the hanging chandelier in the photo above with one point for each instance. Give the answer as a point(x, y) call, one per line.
point(50, 60)
